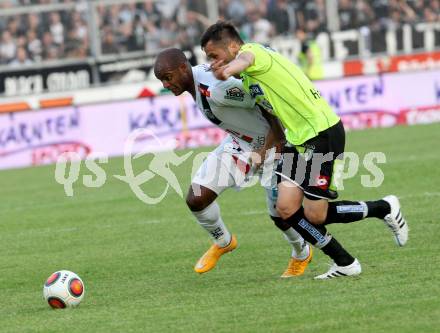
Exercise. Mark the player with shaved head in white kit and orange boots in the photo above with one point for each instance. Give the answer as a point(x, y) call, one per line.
point(226, 105)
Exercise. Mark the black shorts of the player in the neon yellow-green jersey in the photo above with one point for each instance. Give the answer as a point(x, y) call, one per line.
point(311, 165)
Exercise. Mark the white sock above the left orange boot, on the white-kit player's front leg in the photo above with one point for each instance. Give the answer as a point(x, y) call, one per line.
point(210, 220)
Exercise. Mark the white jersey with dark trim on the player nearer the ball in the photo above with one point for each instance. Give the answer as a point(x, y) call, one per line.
point(228, 106)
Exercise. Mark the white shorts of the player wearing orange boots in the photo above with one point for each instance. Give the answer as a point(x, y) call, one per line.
point(227, 167)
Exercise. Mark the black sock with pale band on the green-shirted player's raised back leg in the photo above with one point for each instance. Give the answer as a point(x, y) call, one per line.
point(345, 212)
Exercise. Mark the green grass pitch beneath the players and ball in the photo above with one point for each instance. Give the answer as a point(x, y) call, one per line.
point(137, 260)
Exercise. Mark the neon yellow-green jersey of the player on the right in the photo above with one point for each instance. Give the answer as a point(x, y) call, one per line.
point(280, 86)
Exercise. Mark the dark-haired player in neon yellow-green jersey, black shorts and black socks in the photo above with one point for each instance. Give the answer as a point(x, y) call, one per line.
point(315, 144)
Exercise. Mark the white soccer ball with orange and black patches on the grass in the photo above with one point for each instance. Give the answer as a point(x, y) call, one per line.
point(63, 289)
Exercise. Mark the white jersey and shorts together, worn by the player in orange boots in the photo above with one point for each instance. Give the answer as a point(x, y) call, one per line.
point(228, 106)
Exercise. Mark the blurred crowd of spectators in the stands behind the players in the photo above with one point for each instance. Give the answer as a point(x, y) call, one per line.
point(46, 32)
